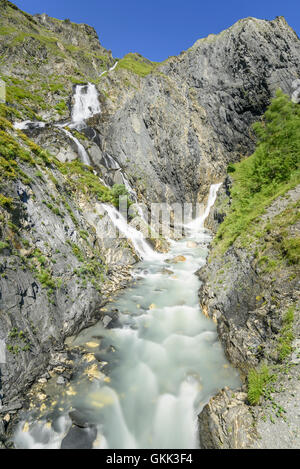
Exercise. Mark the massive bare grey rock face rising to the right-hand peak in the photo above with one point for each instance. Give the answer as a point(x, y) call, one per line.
point(192, 116)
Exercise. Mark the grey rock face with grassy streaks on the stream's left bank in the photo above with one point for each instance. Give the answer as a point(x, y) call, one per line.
point(43, 296)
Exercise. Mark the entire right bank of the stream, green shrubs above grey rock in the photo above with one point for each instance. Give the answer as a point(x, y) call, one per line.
point(251, 290)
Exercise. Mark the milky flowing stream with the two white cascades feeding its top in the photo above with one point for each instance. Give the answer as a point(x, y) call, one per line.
point(164, 358)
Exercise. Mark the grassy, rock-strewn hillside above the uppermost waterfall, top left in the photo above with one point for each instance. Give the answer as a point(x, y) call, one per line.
point(27, 52)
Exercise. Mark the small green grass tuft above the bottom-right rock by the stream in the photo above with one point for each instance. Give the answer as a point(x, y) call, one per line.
point(258, 381)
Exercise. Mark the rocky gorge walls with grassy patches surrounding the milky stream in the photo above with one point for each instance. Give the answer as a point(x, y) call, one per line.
point(152, 132)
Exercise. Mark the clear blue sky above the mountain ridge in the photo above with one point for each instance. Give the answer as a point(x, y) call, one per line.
point(160, 28)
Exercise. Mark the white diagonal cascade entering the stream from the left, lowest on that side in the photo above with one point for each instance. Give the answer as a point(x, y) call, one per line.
point(140, 245)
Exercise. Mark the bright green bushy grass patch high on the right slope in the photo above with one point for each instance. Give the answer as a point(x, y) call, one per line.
point(270, 172)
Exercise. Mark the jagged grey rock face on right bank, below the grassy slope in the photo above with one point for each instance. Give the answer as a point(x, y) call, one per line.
point(245, 301)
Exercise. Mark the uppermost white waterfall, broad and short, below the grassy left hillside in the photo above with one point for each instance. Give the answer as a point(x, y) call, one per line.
point(86, 103)
